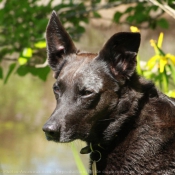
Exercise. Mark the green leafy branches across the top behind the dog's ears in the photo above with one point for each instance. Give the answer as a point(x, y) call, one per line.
point(22, 27)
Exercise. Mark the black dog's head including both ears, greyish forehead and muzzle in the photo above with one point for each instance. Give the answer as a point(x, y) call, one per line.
point(88, 86)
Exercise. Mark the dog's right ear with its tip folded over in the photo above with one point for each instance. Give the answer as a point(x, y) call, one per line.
point(120, 53)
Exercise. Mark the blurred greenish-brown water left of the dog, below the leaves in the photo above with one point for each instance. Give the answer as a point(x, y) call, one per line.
point(25, 105)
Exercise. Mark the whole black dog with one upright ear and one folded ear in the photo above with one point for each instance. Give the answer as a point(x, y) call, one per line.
point(128, 125)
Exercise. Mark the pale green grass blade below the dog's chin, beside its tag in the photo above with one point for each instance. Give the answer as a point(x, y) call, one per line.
point(78, 161)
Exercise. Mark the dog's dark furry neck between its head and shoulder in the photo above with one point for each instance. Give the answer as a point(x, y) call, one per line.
point(117, 130)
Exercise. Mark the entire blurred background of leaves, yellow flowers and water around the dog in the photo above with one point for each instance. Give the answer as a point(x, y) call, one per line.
point(27, 100)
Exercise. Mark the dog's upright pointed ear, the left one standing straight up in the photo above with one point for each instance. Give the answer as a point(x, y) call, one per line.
point(59, 43)
